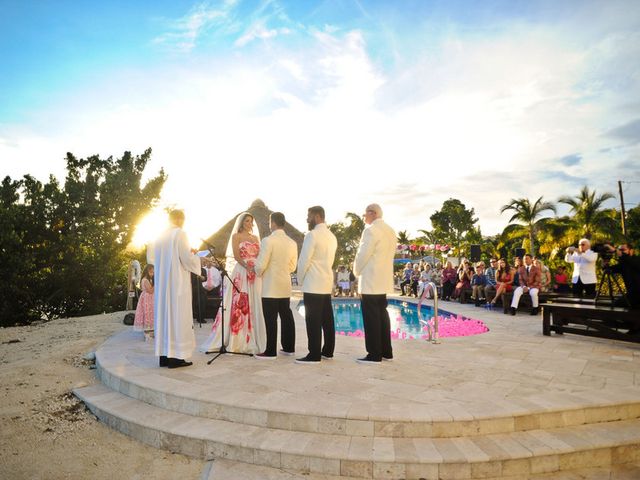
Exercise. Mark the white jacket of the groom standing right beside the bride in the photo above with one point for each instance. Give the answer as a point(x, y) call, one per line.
point(276, 261)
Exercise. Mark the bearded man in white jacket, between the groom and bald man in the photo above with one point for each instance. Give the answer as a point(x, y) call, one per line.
point(316, 276)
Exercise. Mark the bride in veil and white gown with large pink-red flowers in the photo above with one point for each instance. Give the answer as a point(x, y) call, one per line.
point(244, 329)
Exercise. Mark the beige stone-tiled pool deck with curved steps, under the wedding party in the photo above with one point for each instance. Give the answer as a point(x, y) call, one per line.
point(505, 404)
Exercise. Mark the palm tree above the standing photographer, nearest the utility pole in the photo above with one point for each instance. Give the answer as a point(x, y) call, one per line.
point(589, 216)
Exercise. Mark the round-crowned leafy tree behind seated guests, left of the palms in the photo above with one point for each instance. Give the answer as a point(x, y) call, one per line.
point(453, 223)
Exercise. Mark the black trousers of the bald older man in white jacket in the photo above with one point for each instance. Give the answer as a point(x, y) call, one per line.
point(377, 326)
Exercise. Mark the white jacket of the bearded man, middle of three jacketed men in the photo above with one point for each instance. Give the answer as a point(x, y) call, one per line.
point(316, 260)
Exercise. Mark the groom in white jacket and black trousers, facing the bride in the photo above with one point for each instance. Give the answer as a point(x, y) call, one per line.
point(275, 263)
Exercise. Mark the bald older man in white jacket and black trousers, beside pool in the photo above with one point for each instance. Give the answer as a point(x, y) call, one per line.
point(374, 268)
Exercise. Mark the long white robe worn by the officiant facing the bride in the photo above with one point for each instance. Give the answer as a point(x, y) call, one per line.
point(173, 315)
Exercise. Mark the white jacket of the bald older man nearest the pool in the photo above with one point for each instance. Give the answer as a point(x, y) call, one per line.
point(374, 261)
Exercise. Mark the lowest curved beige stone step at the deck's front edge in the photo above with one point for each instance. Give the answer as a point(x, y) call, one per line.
point(482, 456)
